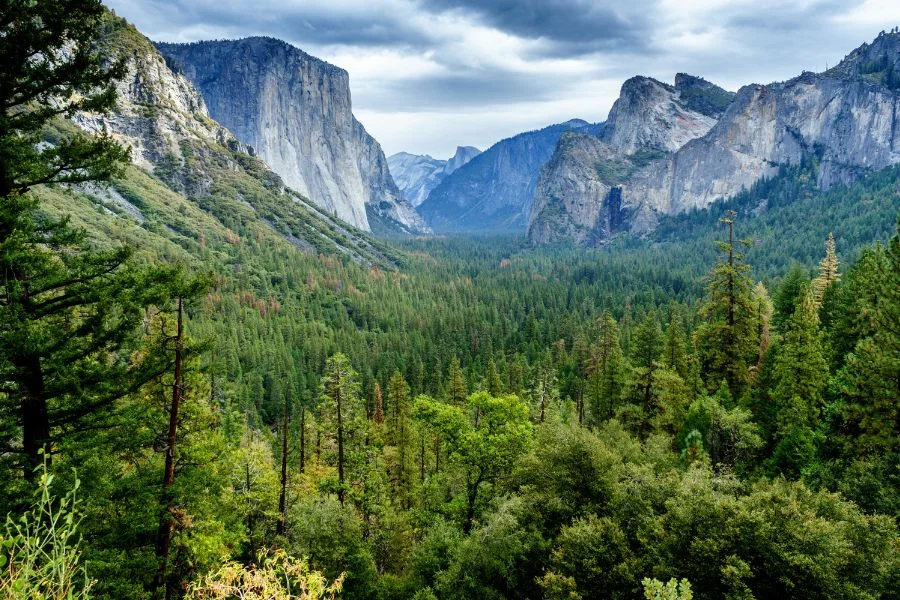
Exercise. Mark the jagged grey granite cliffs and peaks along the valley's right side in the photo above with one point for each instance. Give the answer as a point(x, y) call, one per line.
point(654, 158)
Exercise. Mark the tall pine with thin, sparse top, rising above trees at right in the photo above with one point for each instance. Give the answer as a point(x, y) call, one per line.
point(728, 340)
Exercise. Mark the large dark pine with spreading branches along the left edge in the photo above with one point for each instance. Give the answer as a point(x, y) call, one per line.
point(67, 312)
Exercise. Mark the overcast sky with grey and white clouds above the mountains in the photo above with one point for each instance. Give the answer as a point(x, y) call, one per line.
point(428, 75)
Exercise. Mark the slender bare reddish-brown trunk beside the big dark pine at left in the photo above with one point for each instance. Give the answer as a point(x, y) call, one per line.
point(166, 524)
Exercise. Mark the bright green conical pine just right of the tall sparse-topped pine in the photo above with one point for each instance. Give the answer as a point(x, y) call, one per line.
point(801, 374)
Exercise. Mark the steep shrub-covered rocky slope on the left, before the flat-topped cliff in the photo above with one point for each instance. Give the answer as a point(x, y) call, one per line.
point(183, 158)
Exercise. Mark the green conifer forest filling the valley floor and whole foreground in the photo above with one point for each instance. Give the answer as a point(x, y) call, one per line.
point(708, 411)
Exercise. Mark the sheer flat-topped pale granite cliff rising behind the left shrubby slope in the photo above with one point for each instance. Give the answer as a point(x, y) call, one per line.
point(295, 111)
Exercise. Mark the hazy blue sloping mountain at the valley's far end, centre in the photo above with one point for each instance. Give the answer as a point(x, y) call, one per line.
point(494, 191)
